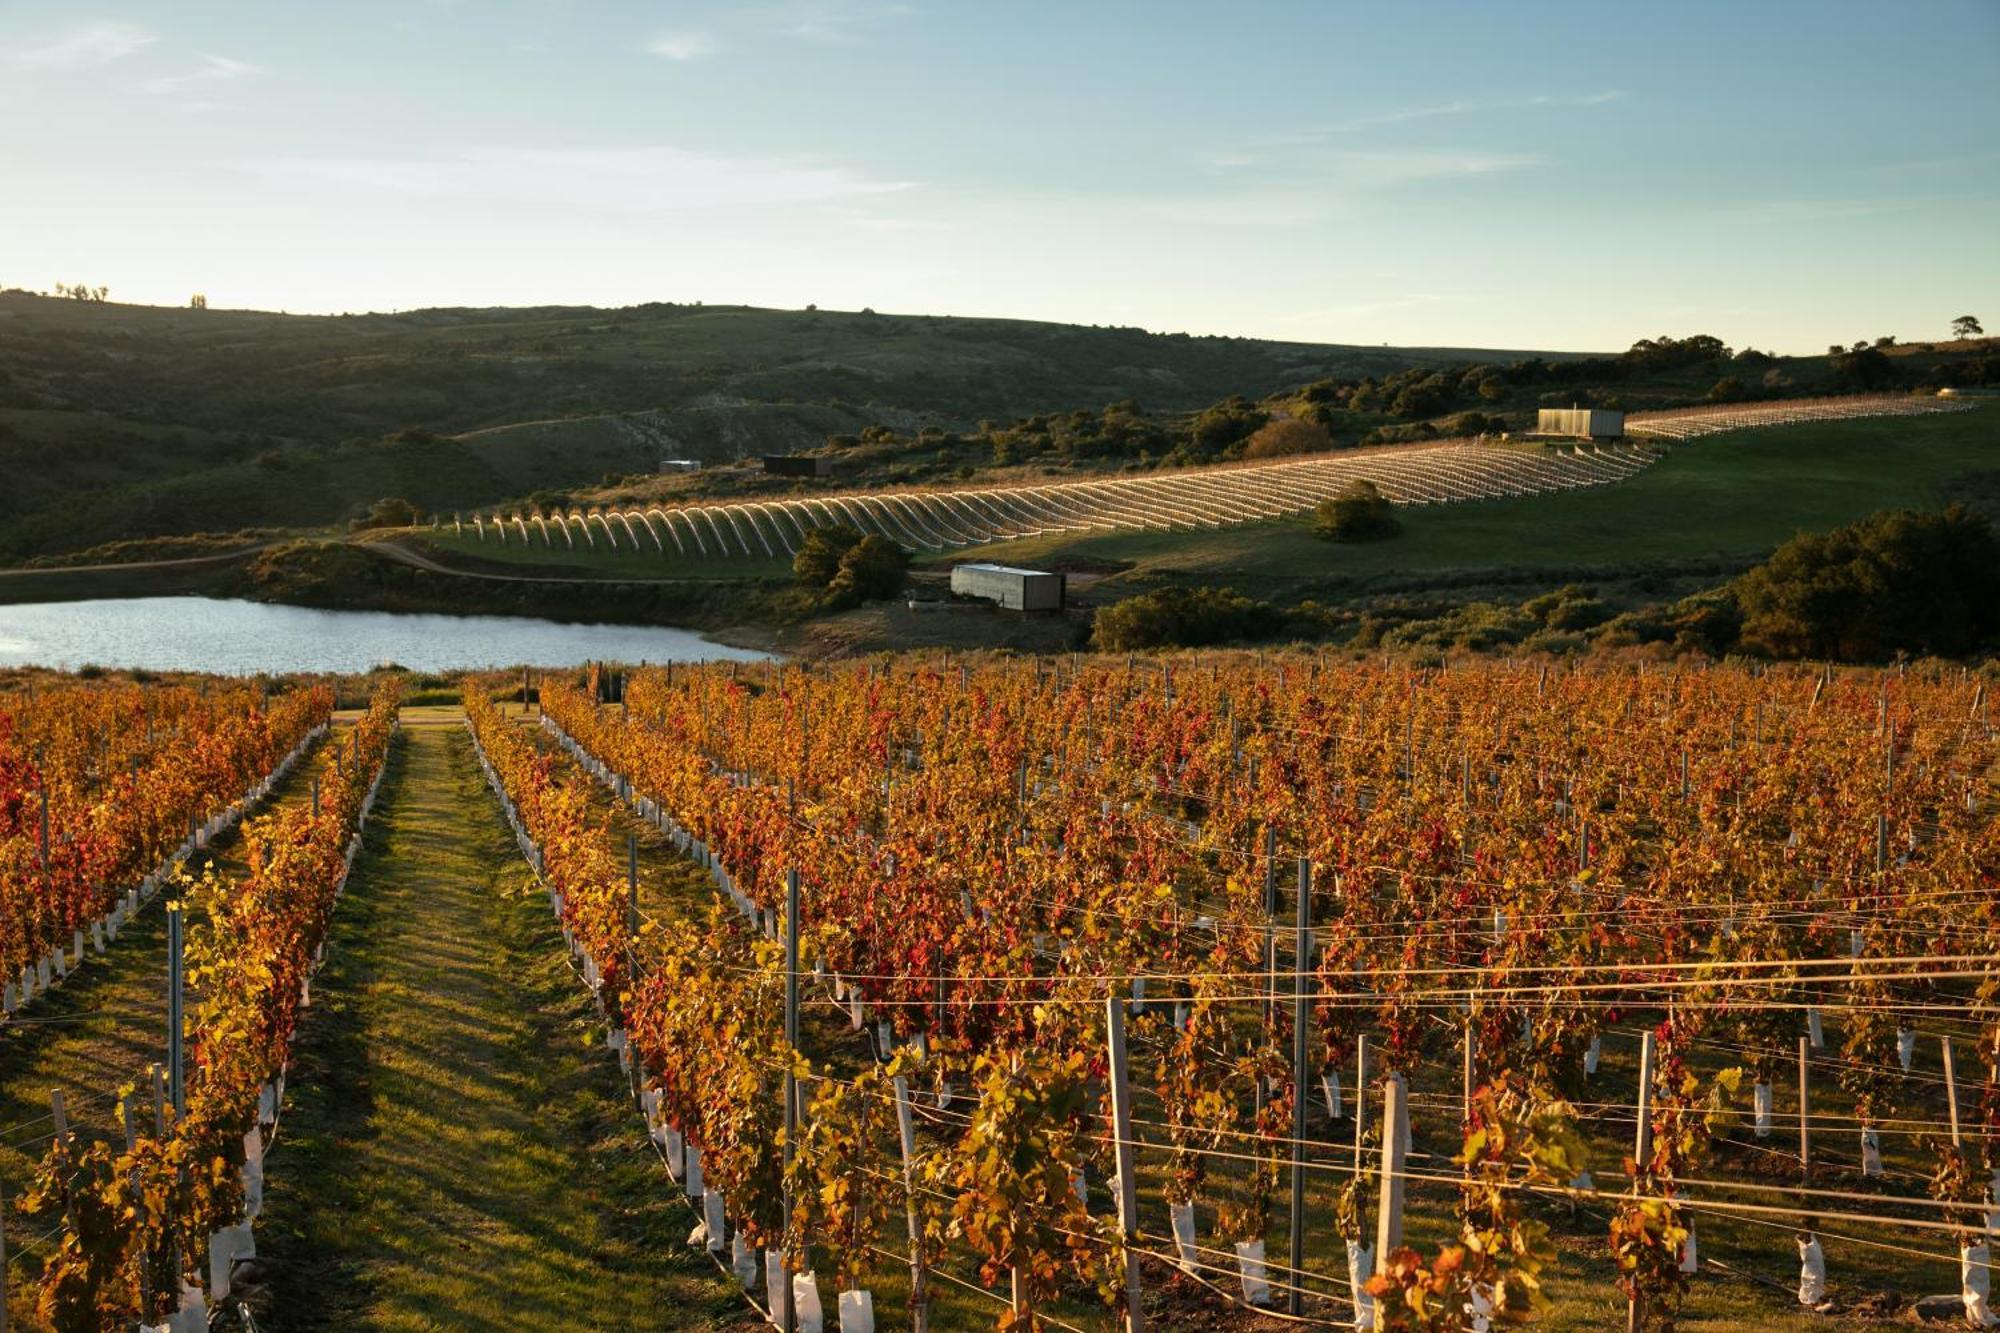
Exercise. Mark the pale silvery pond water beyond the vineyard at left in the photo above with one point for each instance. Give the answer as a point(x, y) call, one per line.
point(229, 637)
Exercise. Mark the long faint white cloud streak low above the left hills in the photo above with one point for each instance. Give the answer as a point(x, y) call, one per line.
point(615, 181)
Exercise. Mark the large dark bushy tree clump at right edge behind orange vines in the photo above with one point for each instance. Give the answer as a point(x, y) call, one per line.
point(1899, 581)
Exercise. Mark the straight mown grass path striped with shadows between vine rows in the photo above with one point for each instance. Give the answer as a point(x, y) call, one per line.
point(459, 1150)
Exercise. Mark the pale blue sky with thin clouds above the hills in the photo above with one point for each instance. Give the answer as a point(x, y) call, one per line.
point(1499, 173)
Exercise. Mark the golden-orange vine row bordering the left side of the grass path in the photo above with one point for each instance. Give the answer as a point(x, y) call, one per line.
point(147, 1232)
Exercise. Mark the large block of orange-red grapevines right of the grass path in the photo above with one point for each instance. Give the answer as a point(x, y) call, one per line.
point(1499, 870)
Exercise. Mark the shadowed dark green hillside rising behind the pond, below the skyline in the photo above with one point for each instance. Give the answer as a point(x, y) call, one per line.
point(125, 421)
